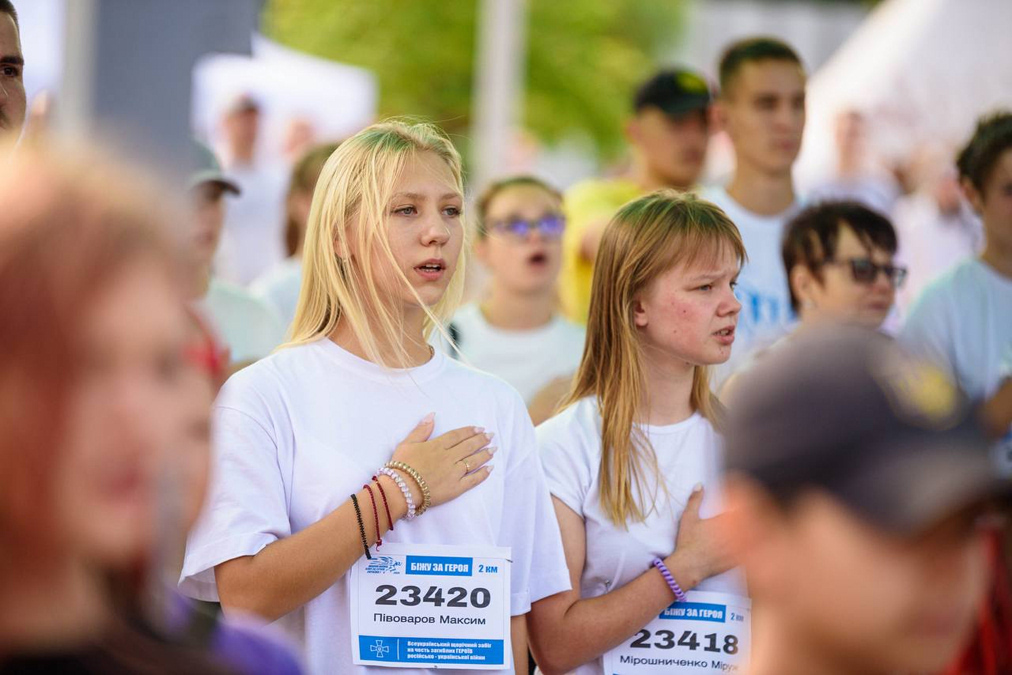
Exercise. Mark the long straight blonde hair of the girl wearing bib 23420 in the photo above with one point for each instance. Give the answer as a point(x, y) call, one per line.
point(350, 213)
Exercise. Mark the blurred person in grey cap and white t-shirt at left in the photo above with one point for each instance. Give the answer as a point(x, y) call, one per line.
point(247, 326)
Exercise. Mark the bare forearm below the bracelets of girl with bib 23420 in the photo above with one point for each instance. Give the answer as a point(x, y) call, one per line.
point(293, 571)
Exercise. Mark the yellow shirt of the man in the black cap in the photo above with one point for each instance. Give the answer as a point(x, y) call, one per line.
point(587, 204)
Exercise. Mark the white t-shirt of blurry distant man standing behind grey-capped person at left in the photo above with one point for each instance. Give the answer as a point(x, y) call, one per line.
point(252, 240)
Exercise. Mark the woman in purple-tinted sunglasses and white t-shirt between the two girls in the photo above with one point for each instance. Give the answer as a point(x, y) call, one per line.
point(516, 330)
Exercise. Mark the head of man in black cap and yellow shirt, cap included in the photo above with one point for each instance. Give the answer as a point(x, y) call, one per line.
point(669, 131)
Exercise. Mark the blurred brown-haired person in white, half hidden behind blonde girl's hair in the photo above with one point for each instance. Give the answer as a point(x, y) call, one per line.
point(280, 286)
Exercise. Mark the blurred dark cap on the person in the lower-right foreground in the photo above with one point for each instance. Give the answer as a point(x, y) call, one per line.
point(846, 410)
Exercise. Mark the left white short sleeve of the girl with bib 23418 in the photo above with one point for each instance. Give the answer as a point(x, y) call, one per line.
point(567, 467)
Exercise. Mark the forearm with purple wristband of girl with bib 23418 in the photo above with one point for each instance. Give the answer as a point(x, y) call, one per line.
point(592, 627)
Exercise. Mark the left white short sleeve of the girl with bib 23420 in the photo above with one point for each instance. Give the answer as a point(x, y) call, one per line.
point(246, 509)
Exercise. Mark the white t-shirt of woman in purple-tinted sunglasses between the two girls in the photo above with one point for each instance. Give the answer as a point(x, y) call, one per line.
point(527, 360)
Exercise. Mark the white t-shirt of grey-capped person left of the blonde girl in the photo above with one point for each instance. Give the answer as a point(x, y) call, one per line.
point(249, 328)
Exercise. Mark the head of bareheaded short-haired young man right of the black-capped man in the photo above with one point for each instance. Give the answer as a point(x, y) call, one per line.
point(763, 104)
